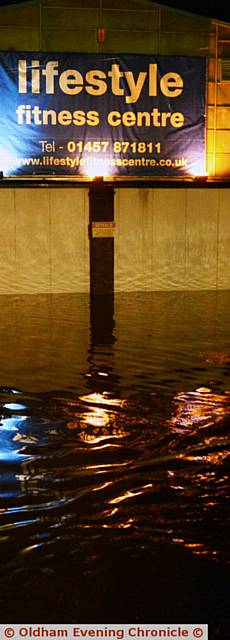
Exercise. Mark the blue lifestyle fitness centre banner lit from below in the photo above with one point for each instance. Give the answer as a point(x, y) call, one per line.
point(102, 114)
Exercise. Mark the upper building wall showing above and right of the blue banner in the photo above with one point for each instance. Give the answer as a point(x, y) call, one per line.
point(133, 26)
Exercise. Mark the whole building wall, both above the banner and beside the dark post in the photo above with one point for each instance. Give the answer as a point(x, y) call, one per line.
point(165, 238)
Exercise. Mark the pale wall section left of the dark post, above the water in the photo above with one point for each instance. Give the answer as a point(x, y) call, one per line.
point(44, 240)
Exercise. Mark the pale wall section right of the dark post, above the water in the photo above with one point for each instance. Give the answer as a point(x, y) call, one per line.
point(172, 239)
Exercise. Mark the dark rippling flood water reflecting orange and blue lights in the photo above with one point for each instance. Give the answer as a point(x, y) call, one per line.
point(114, 459)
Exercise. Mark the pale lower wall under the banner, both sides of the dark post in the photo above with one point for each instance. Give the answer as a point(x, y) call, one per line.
point(165, 239)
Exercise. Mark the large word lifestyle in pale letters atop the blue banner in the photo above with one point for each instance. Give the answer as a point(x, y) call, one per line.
point(36, 78)
